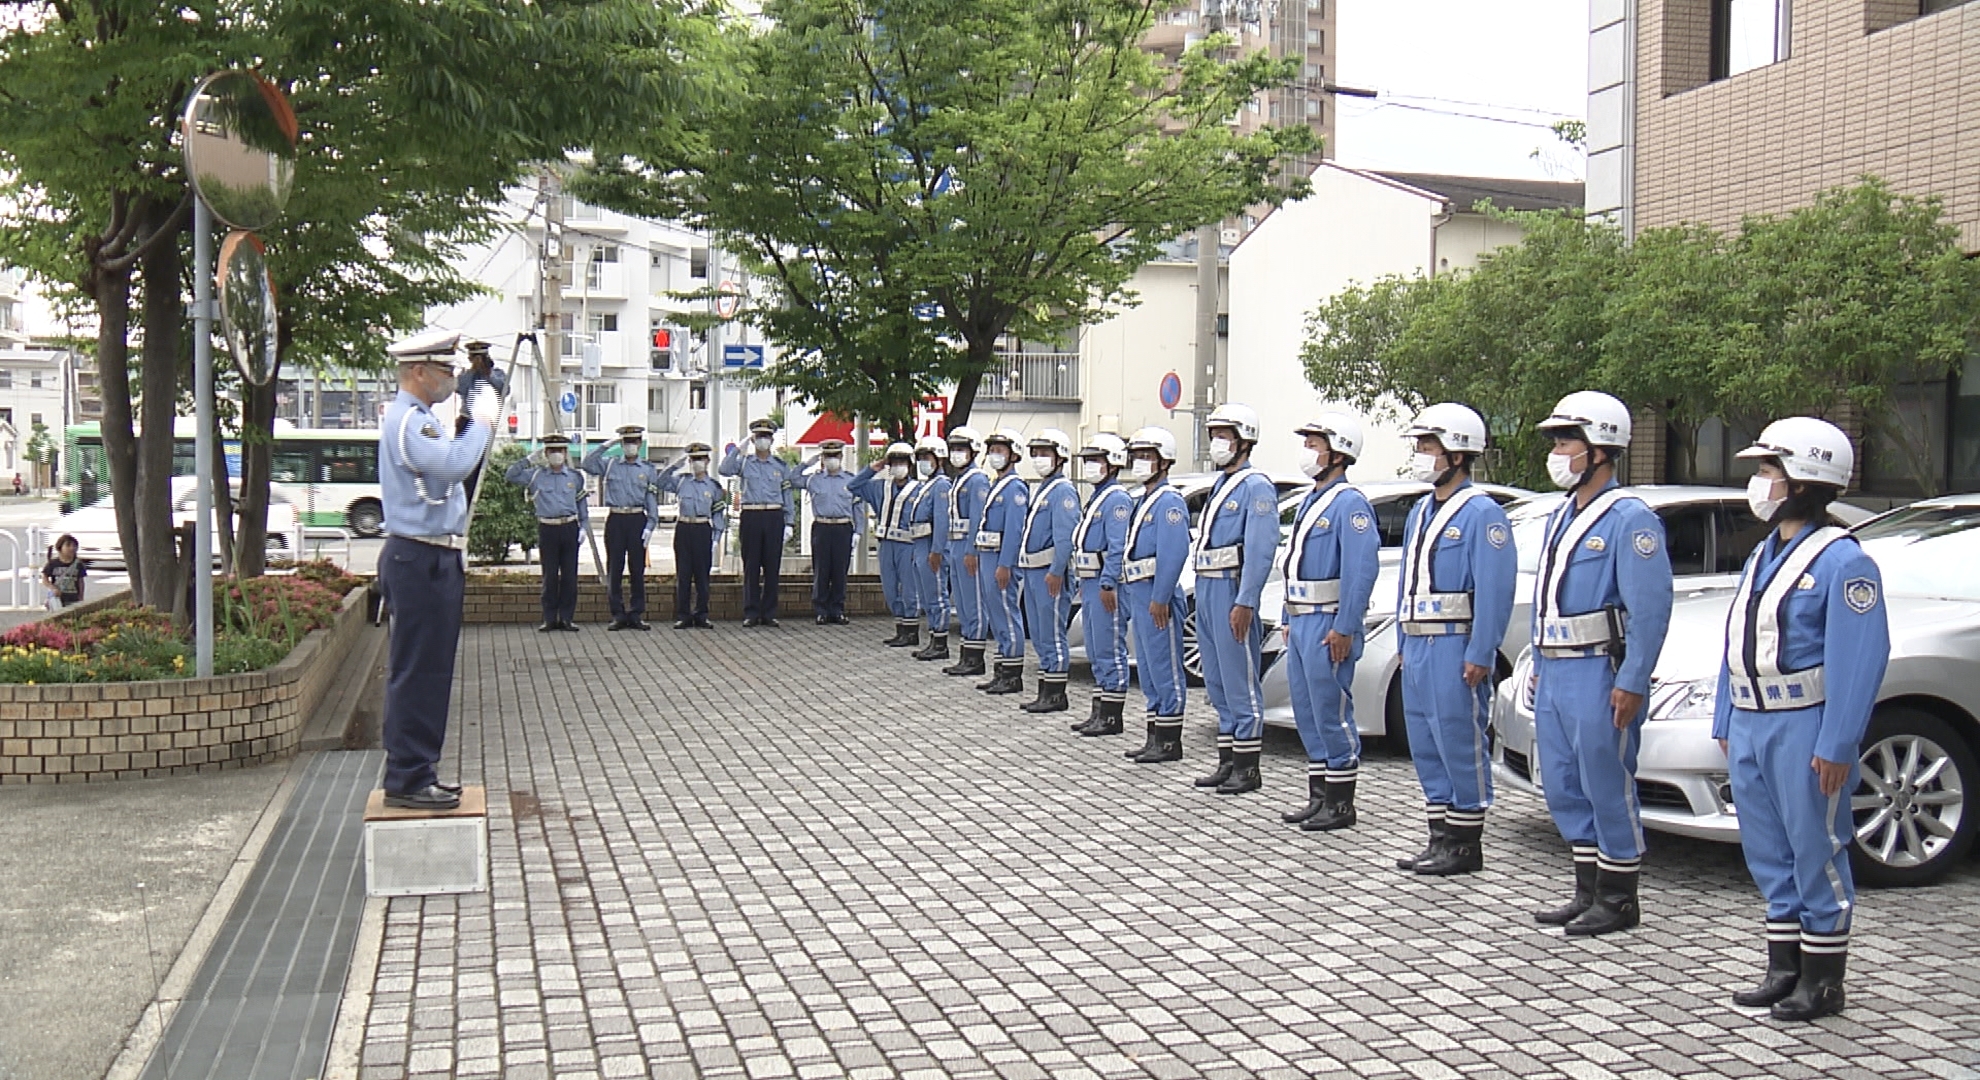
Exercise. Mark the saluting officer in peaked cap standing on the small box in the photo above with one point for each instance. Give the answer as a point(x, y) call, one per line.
point(421, 568)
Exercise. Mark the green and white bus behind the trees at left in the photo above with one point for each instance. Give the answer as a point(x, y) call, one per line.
point(334, 473)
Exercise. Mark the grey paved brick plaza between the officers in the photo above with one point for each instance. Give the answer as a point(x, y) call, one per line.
point(795, 853)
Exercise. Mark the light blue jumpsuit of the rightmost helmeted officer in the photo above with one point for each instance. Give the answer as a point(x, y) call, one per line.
point(1797, 841)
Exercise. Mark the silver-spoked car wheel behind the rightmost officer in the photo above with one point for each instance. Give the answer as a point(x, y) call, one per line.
point(1914, 821)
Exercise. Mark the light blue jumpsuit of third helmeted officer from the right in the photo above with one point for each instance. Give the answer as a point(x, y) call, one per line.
point(1446, 720)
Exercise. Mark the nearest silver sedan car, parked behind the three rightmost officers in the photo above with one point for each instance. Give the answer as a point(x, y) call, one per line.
point(1914, 813)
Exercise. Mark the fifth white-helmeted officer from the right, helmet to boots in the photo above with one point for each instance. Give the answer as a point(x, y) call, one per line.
point(1235, 550)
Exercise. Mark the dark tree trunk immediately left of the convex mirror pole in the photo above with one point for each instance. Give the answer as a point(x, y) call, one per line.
point(165, 322)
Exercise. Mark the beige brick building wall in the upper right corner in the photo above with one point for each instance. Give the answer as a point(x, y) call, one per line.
point(1864, 90)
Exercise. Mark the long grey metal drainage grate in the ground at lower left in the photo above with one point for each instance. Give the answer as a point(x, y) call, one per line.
point(266, 998)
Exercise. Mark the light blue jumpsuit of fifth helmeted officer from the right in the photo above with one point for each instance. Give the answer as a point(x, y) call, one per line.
point(1242, 514)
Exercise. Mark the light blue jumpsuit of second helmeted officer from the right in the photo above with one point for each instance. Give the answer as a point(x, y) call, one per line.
point(1587, 766)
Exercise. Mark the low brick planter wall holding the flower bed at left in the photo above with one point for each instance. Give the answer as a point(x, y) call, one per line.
point(165, 728)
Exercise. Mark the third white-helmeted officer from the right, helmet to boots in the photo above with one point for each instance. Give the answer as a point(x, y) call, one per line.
point(1454, 603)
